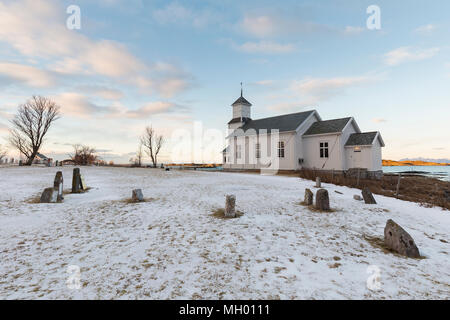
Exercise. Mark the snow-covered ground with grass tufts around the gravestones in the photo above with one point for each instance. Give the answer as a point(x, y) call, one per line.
point(172, 248)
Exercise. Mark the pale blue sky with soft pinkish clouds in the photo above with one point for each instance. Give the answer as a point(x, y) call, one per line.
point(178, 65)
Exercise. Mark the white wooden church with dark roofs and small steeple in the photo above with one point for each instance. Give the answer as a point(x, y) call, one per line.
point(299, 140)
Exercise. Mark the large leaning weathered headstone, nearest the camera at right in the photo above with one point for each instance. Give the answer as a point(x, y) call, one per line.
point(397, 239)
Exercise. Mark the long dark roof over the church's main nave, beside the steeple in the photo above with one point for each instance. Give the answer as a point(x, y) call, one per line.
point(288, 122)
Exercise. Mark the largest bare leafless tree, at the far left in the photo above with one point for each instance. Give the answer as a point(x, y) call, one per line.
point(31, 124)
